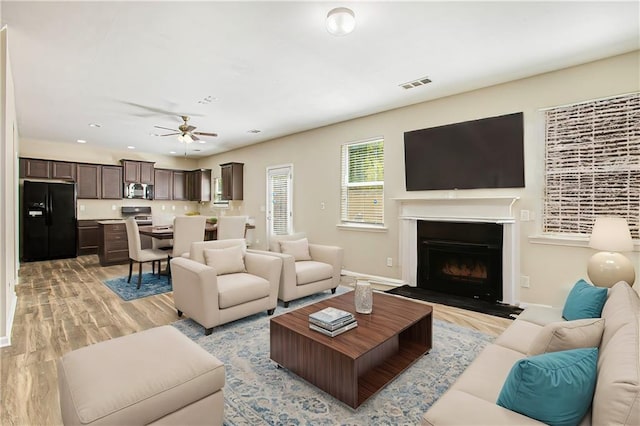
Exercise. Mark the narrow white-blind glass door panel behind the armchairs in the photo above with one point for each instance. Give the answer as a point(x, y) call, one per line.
point(280, 214)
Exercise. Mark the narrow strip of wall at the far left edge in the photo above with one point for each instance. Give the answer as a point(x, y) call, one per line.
point(8, 194)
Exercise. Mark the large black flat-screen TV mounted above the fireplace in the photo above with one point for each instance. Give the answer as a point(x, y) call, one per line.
point(485, 153)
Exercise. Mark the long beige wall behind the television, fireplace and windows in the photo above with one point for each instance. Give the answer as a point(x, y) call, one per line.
point(315, 158)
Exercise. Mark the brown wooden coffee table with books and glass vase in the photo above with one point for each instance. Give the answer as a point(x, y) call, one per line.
point(354, 365)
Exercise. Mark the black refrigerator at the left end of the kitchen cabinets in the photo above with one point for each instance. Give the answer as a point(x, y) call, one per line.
point(49, 221)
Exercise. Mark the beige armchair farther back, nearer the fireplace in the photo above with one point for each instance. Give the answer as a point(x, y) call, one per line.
point(304, 272)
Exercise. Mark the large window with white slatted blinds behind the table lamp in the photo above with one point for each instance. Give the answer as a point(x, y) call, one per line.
point(592, 164)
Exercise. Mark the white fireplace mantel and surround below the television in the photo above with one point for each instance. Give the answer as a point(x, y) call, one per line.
point(461, 209)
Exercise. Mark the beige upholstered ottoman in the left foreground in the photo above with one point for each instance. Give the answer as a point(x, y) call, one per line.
point(157, 376)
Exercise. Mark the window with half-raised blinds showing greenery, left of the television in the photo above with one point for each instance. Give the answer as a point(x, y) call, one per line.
point(362, 192)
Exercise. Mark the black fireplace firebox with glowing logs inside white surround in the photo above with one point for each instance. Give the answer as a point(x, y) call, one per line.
point(460, 258)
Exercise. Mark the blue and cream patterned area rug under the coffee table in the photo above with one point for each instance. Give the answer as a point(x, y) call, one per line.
point(258, 393)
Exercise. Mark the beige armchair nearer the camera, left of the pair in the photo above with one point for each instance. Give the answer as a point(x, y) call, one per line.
point(221, 282)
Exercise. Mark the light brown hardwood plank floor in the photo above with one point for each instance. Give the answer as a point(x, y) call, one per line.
point(63, 305)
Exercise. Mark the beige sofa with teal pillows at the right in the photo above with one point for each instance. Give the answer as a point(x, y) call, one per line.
point(471, 400)
